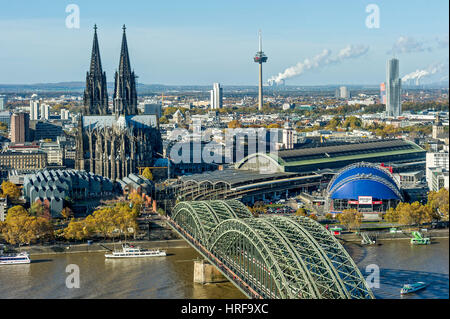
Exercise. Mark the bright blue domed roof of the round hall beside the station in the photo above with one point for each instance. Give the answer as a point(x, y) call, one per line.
point(363, 179)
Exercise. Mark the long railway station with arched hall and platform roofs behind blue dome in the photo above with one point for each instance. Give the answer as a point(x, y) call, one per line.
point(261, 176)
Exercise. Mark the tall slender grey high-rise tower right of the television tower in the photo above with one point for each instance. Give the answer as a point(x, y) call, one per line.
point(393, 88)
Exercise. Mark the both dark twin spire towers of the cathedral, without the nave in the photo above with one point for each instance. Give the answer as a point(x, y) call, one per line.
point(96, 95)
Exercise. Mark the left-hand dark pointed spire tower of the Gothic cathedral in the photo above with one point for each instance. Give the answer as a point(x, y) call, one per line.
point(95, 94)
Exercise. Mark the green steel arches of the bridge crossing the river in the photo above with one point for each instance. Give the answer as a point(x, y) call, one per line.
point(277, 256)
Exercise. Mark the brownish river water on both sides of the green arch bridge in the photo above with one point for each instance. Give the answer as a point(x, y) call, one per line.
point(171, 276)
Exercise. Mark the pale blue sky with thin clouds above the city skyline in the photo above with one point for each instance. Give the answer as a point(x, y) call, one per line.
point(197, 42)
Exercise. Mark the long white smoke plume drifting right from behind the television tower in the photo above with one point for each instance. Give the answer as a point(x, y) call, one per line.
point(320, 60)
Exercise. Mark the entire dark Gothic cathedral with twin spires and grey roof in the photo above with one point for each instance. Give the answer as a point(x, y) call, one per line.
point(114, 143)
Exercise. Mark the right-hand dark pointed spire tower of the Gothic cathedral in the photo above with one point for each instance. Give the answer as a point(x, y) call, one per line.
point(125, 96)
